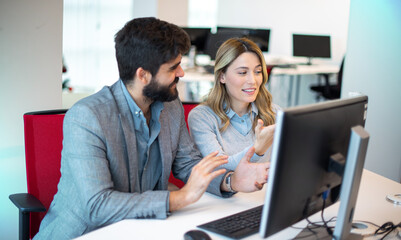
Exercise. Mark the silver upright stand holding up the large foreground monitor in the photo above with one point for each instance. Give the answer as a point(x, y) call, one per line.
point(349, 190)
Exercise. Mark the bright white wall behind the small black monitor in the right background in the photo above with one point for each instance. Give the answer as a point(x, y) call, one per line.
point(285, 17)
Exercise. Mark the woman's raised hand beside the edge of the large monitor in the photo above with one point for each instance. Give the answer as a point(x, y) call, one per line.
point(263, 137)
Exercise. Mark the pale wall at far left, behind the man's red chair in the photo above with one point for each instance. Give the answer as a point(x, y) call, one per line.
point(30, 77)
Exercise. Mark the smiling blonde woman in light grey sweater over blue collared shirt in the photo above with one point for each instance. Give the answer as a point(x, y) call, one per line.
point(238, 113)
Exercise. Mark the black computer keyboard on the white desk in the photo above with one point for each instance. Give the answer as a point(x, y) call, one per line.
point(238, 225)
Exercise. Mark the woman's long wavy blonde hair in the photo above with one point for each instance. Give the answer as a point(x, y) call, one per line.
point(226, 54)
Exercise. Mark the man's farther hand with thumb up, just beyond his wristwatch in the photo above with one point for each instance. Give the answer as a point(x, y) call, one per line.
point(249, 177)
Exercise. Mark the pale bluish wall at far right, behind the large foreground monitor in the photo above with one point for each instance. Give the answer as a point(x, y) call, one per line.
point(372, 67)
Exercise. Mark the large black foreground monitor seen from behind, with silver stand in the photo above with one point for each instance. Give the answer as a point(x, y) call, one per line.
point(311, 144)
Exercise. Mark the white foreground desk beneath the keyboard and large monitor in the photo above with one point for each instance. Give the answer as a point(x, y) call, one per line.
point(371, 206)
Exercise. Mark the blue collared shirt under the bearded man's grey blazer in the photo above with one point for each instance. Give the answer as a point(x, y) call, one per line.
point(149, 157)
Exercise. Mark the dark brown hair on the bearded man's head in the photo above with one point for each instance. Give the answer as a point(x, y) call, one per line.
point(148, 43)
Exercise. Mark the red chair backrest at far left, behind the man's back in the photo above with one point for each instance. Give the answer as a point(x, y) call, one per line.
point(43, 143)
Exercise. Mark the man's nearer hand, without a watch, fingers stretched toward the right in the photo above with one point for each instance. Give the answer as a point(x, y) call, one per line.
point(201, 176)
